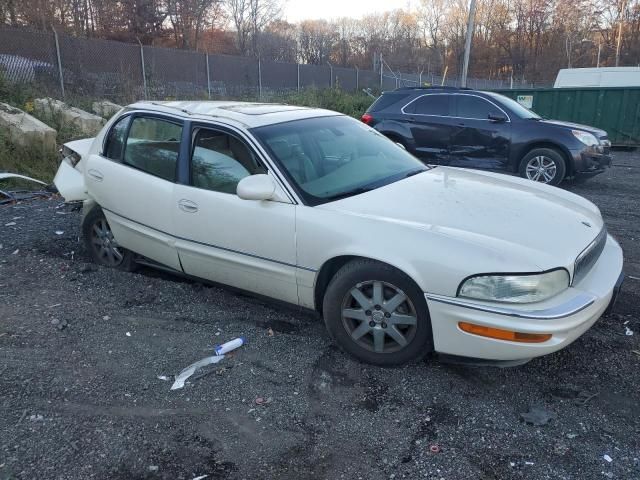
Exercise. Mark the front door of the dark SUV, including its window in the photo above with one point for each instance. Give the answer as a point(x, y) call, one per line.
point(481, 137)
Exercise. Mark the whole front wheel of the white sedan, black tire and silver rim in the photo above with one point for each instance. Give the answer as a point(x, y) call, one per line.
point(377, 314)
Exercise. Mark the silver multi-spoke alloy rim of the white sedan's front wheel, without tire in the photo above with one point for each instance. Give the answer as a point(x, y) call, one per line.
point(379, 317)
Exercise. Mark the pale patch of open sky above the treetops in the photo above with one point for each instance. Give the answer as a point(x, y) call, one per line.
point(296, 10)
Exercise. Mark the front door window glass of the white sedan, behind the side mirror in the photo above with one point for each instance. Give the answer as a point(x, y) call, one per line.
point(219, 161)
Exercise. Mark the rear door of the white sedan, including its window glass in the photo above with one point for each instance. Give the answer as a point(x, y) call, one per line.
point(133, 178)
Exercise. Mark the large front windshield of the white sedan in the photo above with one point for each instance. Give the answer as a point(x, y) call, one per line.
point(328, 158)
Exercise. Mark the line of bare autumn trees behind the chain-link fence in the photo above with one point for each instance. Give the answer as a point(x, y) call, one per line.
point(528, 40)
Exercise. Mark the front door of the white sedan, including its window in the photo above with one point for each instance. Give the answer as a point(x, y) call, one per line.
point(243, 243)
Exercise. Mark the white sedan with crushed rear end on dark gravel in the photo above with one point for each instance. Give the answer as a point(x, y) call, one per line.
point(319, 210)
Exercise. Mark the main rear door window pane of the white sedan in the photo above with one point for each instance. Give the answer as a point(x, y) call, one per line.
point(152, 146)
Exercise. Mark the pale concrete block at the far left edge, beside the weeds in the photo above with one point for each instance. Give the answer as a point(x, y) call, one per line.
point(26, 131)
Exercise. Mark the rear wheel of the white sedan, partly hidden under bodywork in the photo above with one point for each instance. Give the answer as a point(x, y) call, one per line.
point(102, 245)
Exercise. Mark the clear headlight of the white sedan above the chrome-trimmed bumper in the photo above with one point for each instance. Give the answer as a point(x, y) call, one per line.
point(515, 288)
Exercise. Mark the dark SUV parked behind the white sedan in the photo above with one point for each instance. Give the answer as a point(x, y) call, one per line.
point(474, 129)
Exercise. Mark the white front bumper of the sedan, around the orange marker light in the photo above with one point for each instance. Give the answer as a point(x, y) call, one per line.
point(566, 316)
